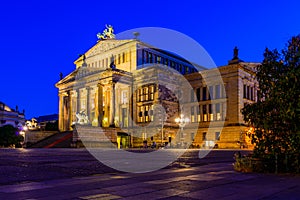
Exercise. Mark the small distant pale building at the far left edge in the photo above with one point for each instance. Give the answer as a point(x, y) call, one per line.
point(9, 116)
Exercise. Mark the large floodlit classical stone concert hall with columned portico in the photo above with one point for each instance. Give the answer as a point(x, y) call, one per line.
point(134, 92)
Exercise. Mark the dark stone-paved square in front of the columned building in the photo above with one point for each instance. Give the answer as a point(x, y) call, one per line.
point(75, 174)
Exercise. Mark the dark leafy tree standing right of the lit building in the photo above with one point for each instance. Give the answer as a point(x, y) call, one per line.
point(276, 115)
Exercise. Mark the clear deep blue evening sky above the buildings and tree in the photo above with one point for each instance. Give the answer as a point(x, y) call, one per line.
point(40, 39)
